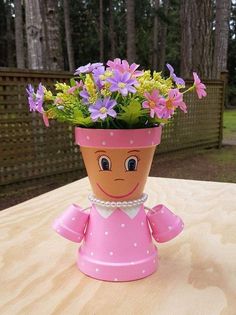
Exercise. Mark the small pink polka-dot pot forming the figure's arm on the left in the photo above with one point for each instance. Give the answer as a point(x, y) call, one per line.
point(72, 223)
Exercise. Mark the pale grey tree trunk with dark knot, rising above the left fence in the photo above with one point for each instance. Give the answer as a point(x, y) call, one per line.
point(34, 34)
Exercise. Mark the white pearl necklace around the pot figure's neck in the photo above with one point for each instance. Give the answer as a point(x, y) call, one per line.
point(118, 204)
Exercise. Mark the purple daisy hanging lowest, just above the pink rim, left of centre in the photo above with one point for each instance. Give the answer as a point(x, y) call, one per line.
point(103, 108)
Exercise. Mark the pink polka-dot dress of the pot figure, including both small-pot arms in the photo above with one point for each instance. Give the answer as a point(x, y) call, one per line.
point(117, 243)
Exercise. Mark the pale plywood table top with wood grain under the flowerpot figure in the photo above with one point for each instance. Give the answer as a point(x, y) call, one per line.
point(196, 274)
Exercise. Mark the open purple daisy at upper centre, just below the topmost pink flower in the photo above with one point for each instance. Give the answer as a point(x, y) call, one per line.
point(122, 82)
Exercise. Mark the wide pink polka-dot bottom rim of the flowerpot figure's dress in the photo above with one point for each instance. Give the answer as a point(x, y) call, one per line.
point(117, 272)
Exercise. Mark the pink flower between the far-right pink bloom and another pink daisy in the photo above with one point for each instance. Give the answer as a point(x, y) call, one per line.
point(168, 106)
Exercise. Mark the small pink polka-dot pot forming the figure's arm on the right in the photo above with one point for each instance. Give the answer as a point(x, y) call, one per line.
point(165, 225)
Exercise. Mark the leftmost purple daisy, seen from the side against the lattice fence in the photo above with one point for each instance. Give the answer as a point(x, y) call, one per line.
point(35, 99)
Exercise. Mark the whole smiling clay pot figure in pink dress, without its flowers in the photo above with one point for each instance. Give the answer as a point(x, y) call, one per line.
point(117, 243)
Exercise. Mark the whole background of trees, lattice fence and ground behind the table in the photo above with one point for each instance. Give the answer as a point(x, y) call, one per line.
point(45, 41)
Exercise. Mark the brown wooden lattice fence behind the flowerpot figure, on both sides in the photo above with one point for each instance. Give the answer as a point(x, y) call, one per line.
point(31, 154)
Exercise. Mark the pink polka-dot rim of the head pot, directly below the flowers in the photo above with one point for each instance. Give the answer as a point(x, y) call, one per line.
point(118, 138)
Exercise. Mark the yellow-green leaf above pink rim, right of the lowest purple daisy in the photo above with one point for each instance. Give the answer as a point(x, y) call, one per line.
point(131, 113)
